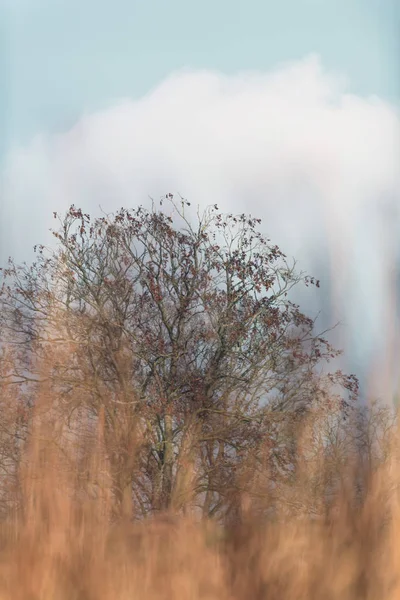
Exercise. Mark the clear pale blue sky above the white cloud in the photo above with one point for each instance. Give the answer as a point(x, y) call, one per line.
point(62, 58)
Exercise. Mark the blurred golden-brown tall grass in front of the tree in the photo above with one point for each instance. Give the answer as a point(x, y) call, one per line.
point(59, 542)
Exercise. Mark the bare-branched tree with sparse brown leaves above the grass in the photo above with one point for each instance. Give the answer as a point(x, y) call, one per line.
point(183, 336)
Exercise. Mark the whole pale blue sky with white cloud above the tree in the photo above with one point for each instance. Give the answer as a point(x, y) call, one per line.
point(289, 110)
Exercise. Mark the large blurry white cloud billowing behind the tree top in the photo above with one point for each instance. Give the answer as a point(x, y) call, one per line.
point(320, 166)
